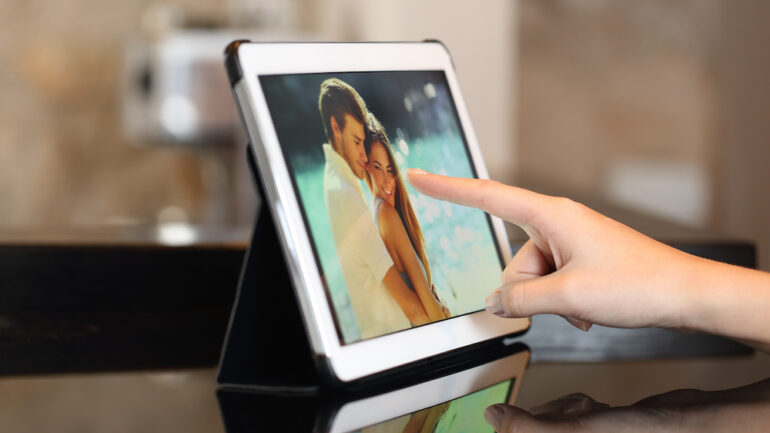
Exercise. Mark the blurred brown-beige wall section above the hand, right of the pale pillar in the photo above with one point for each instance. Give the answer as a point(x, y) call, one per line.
point(618, 101)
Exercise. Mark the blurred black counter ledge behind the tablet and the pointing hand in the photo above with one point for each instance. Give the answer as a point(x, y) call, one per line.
point(116, 299)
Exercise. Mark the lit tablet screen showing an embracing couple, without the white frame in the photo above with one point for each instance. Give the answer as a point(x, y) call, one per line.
point(390, 257)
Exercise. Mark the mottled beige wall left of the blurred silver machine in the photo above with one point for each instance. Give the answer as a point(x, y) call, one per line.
point(63, 158)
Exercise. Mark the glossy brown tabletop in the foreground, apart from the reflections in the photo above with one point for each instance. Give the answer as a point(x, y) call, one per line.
point(185, 400)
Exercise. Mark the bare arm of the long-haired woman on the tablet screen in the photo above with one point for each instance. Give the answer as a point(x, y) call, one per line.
point(397, 241)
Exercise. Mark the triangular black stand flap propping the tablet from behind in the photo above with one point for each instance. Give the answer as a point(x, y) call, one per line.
point(266, 347)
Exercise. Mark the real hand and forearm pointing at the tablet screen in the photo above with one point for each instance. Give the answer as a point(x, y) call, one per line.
point(591, 269)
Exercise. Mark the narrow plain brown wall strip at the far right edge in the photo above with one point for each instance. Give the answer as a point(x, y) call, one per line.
point(744, 135)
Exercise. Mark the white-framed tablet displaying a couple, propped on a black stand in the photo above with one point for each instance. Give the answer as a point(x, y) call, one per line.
point(385, 276)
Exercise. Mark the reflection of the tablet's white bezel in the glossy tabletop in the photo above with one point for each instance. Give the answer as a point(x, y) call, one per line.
point(360, 414)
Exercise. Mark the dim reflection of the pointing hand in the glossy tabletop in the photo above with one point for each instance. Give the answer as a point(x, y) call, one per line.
point(744, 409)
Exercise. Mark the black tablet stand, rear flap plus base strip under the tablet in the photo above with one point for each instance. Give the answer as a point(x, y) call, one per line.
point(266, 348)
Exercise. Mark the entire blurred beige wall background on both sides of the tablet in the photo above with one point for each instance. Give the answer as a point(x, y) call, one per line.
point(657, 106)
